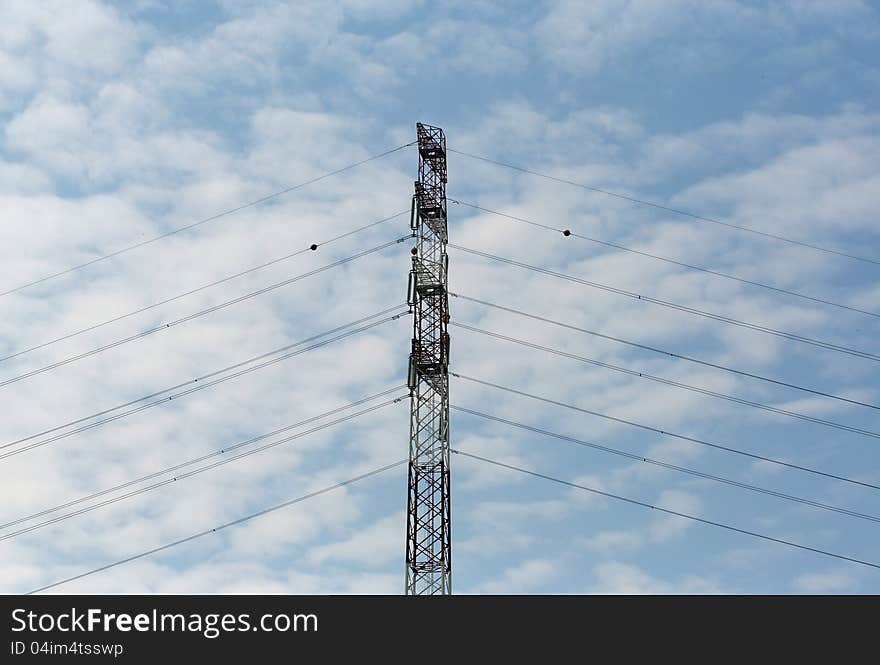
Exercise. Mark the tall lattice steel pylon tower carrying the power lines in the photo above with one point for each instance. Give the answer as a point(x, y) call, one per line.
point(428, 536)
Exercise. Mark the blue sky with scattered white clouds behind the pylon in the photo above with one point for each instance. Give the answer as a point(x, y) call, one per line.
point(124, 120)
